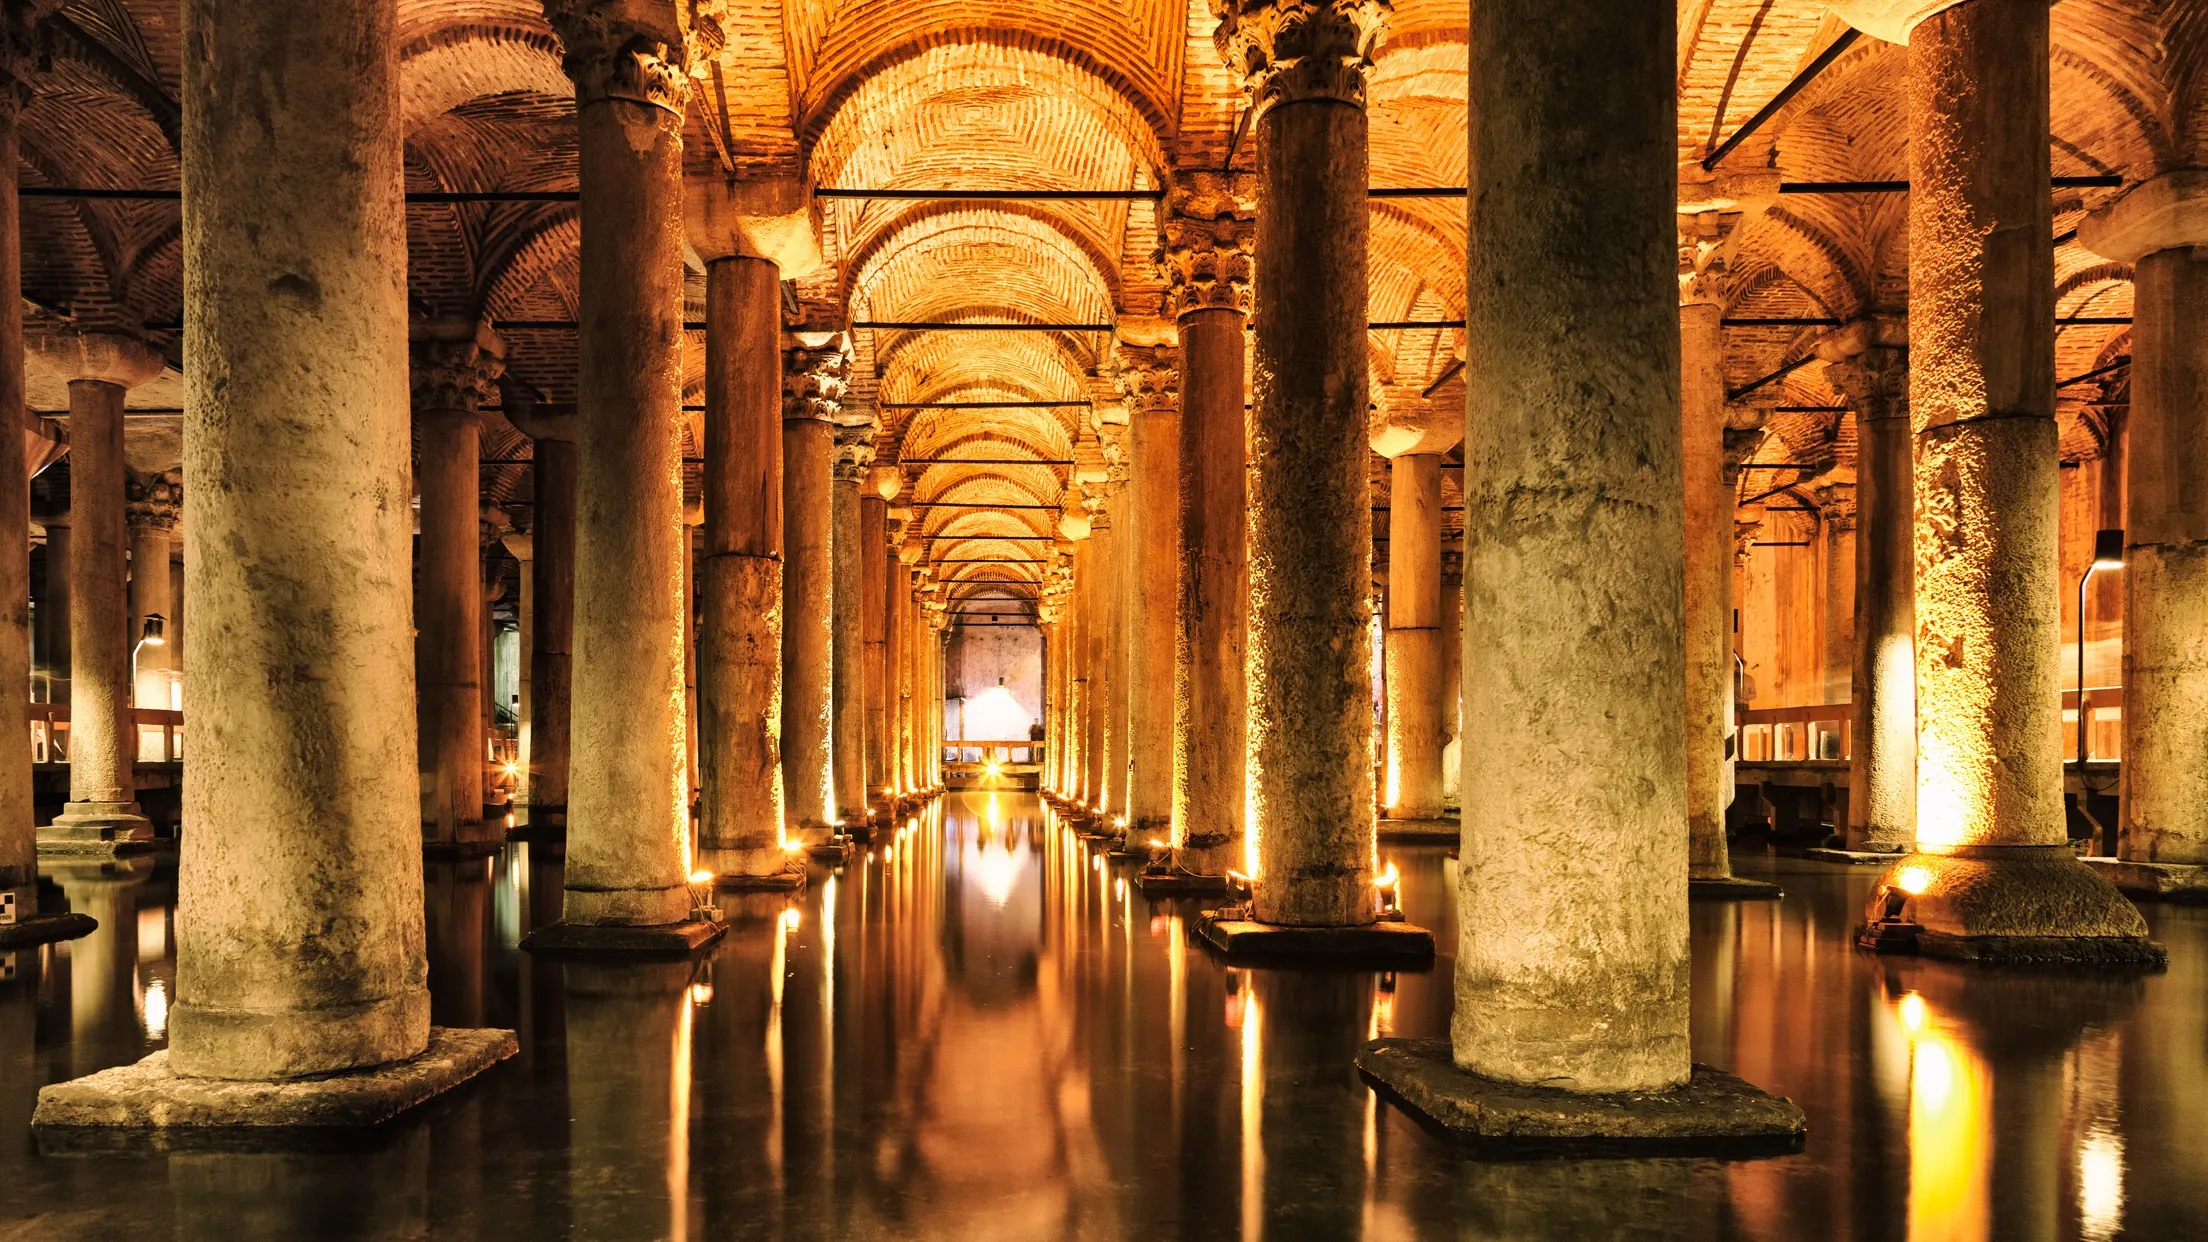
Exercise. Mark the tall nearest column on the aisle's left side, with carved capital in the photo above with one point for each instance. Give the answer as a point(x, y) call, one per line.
point(626, 817)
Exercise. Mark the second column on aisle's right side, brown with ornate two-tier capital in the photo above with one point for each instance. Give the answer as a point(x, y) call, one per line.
point(1207, 266)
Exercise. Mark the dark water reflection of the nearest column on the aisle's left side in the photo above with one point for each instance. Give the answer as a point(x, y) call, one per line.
point(628, 1099)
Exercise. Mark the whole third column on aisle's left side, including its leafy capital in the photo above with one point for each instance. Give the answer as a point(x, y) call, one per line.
point(814, 377)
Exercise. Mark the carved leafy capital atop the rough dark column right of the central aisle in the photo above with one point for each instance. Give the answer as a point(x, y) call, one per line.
point(1288, 52)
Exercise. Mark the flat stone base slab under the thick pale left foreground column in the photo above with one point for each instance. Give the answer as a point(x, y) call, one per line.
point(149, 1097)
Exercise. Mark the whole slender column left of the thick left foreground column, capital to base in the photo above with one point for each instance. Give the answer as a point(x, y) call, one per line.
point(103, 741)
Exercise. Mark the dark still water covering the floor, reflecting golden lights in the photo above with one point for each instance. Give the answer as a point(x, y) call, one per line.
point(979, 1033)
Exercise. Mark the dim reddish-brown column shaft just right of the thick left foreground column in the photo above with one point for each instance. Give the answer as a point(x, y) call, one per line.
point(449, 629)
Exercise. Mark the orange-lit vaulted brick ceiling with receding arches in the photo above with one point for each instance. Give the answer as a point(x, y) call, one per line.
point(1072, 94)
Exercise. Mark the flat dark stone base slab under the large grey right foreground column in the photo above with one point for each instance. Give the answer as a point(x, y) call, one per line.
point(1712, 1115)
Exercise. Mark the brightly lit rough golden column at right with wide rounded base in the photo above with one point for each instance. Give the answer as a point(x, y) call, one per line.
point(1995, 876)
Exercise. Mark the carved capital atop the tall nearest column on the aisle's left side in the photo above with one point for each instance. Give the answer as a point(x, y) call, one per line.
point(644, 52)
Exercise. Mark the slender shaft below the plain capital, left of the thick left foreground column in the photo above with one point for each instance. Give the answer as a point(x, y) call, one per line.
point(103, 739)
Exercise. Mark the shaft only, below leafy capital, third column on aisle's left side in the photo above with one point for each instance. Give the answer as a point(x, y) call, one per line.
point(807, 627)
